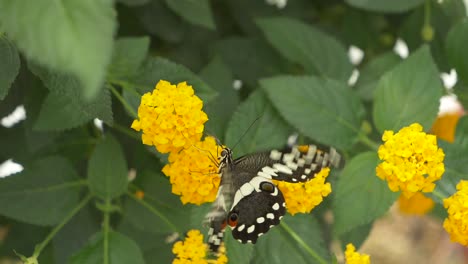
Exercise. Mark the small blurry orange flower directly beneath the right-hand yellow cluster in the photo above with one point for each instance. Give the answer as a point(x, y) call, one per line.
point(418, 204)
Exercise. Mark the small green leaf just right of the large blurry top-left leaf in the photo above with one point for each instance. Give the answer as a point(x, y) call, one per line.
point(129, 54)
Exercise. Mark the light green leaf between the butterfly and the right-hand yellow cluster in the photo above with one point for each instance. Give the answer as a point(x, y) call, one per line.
point(360, 196)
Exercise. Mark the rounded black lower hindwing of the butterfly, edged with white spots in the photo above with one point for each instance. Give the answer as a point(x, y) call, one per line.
point(257, 212)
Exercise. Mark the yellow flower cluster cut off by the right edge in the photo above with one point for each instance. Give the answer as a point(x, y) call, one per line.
point(456, 223)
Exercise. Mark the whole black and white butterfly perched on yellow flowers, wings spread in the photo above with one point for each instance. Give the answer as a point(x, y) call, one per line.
point(248, 201)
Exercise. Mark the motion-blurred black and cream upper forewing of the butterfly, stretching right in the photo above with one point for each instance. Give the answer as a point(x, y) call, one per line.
point(296, 164)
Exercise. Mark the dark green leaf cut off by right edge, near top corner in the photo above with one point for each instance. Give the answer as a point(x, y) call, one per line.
point(456, 49)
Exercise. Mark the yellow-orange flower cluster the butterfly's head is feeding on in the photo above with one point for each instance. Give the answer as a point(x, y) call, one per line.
point(193, 172)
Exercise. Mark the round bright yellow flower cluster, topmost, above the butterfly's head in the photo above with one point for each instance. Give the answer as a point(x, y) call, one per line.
point(171, 117)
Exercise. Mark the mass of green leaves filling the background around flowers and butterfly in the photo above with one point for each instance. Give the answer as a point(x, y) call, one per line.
point(263, 72)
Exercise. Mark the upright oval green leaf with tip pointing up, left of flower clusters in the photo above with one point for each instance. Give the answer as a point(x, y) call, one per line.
point(107, 169)
